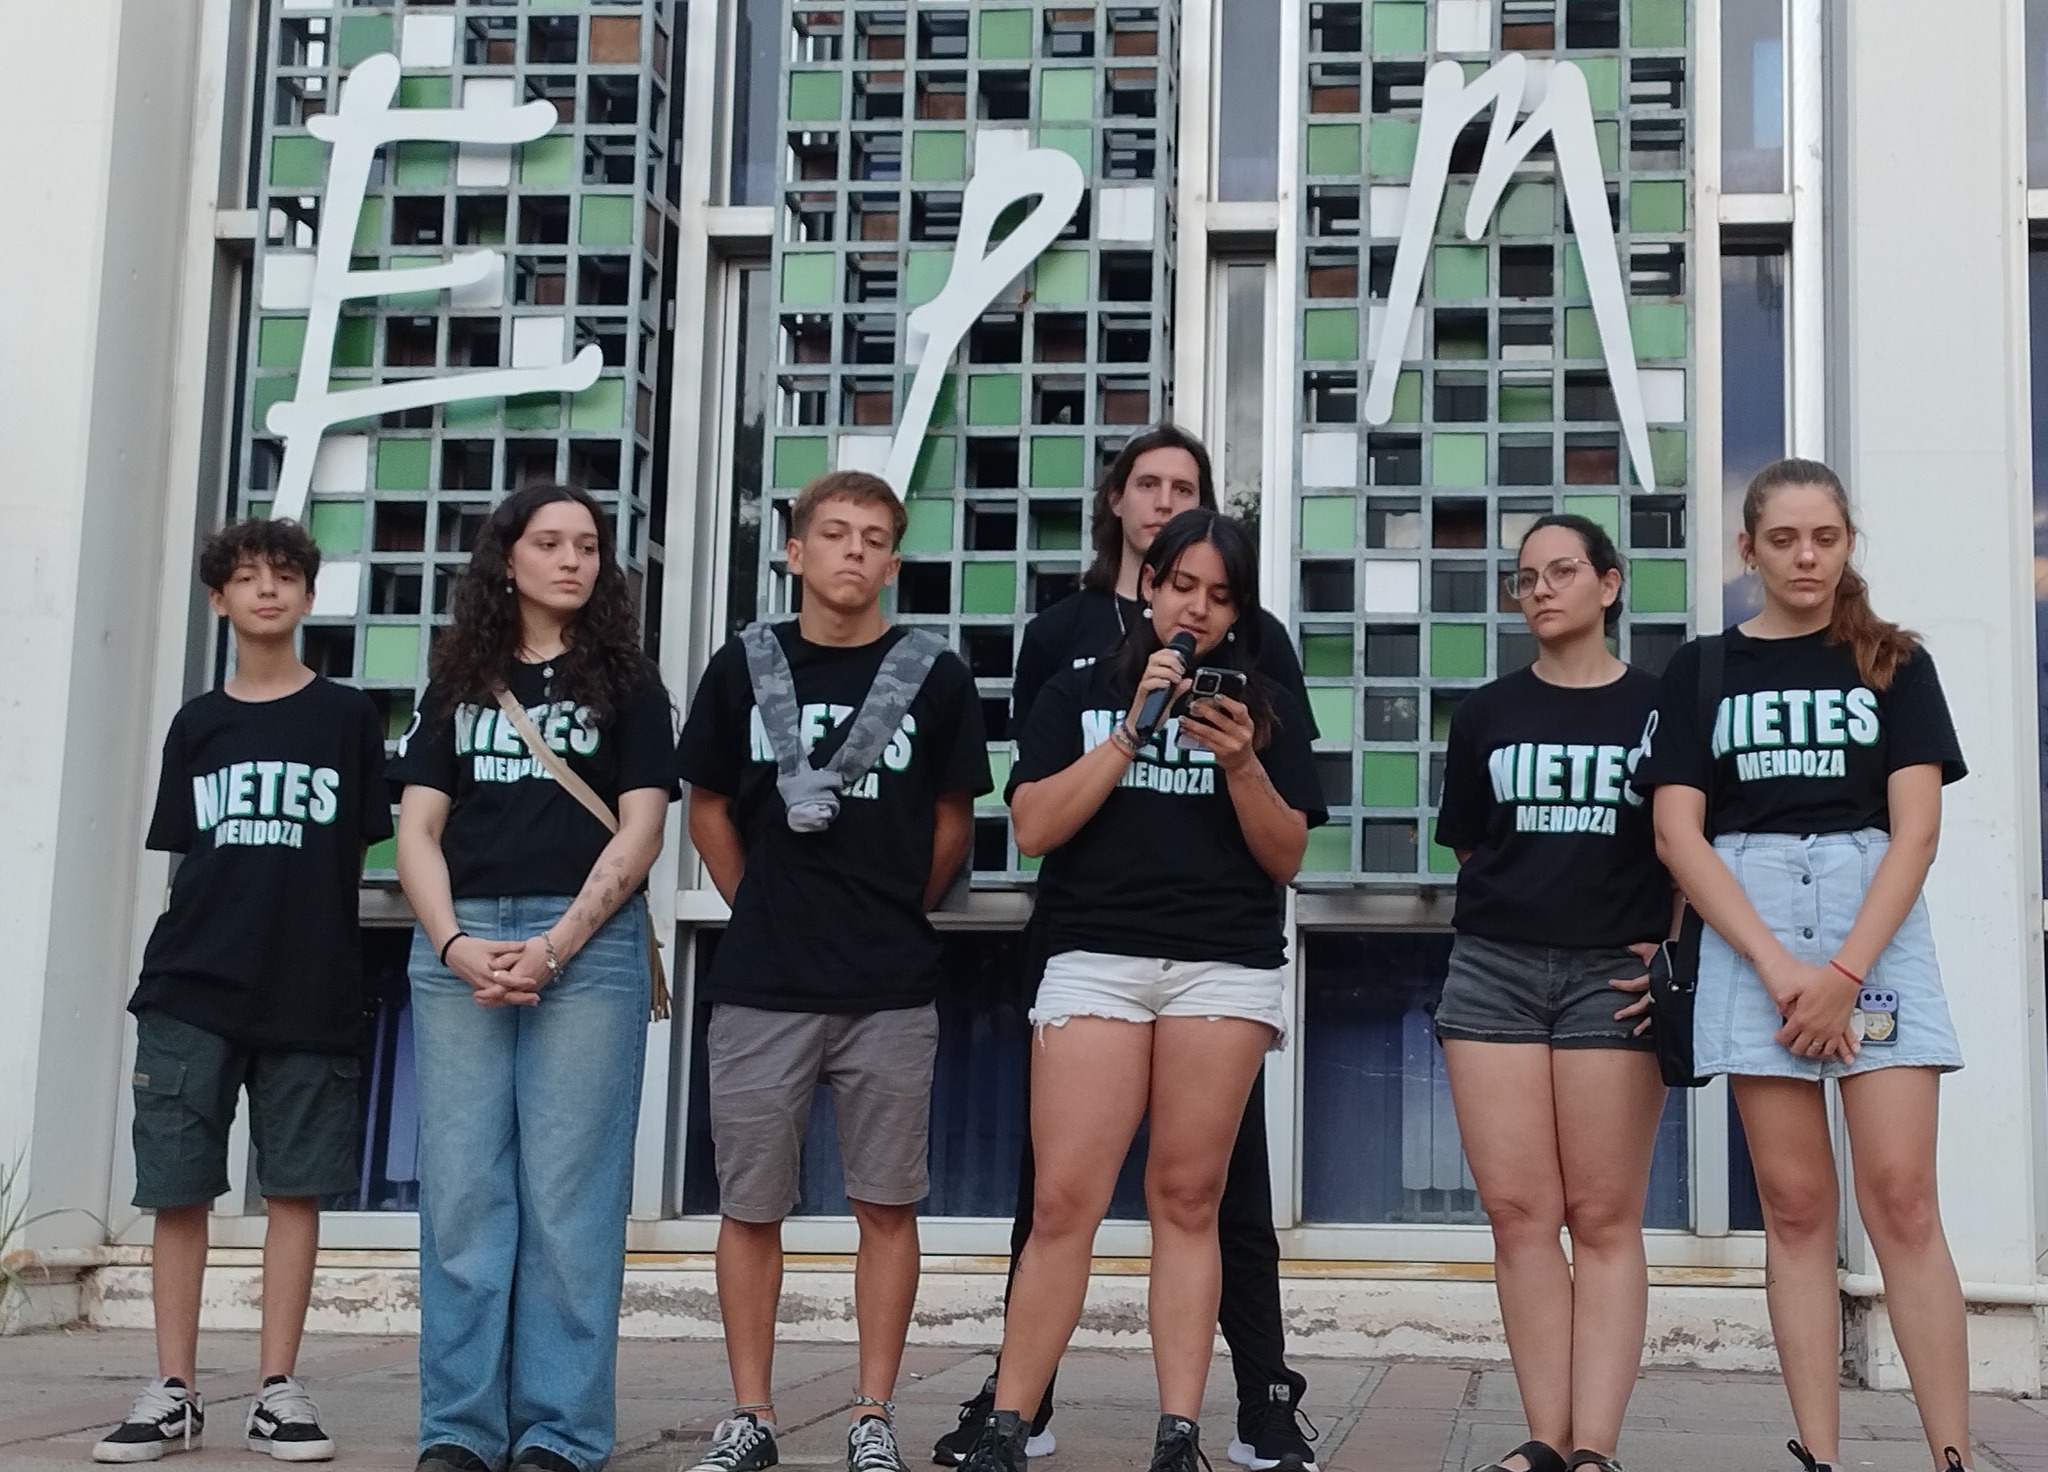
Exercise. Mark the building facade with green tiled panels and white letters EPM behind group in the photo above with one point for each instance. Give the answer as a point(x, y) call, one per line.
point(1418, 271)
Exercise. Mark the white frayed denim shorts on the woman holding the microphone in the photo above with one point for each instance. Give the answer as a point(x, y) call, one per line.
point(1091, 984)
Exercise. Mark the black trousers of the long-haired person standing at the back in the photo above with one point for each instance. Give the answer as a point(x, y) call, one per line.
point(1250, 1309)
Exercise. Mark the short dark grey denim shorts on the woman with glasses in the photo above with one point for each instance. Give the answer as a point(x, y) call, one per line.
point(1506, 992)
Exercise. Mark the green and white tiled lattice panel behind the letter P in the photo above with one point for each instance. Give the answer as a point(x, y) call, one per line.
point(1074, 359)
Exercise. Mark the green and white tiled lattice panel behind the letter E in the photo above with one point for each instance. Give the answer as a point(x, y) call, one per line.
point(398, 499)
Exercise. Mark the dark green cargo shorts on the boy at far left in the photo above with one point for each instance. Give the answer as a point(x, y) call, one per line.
point(306, 1117)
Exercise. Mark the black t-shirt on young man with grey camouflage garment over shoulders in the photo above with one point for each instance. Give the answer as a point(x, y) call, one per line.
point(833, 920)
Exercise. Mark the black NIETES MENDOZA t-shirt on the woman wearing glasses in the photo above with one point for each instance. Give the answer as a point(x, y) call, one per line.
point(1537, 789)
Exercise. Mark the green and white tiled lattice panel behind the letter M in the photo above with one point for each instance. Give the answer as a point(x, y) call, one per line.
point(1502, 408)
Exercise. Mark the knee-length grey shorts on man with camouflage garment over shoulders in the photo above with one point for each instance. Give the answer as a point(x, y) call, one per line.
point(767, 1066)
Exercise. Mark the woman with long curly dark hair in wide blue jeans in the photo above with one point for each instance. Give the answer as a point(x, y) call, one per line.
point(529, 986)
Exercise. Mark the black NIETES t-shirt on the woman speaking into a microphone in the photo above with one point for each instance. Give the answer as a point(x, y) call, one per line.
point(1162, 869)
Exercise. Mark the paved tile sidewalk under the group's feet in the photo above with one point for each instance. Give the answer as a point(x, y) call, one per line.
point(60, 1389)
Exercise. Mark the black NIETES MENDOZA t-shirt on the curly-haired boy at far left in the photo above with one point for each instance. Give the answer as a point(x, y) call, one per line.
point(271, 804)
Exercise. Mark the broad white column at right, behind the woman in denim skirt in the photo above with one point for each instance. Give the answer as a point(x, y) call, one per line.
point(1932, 433)
